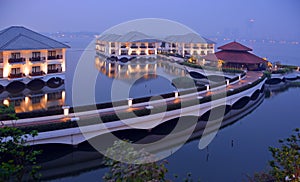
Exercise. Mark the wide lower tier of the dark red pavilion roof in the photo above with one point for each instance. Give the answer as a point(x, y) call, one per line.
point(239, 57)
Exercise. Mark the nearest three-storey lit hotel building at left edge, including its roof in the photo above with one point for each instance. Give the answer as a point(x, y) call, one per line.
point(26, 55)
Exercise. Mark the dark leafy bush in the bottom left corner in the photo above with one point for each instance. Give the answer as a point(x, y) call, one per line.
point(16, 157)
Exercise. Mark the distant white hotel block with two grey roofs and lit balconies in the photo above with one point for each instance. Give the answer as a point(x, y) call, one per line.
point(137, 44)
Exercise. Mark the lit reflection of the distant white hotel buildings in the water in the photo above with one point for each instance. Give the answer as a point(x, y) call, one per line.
point(137, 68)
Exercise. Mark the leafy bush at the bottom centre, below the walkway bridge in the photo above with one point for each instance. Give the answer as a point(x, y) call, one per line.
point(126, 171)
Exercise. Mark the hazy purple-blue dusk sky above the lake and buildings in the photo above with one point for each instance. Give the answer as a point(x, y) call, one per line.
point(276, 19)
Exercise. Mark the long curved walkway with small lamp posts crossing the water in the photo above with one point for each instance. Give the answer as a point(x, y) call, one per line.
point(249, 78)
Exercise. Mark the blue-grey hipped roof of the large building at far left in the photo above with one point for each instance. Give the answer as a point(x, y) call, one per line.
point(21, 38)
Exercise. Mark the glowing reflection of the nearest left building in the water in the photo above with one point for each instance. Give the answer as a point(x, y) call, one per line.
point(30, 101)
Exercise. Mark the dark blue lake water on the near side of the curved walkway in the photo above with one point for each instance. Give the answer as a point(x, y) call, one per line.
point(238, 150)
